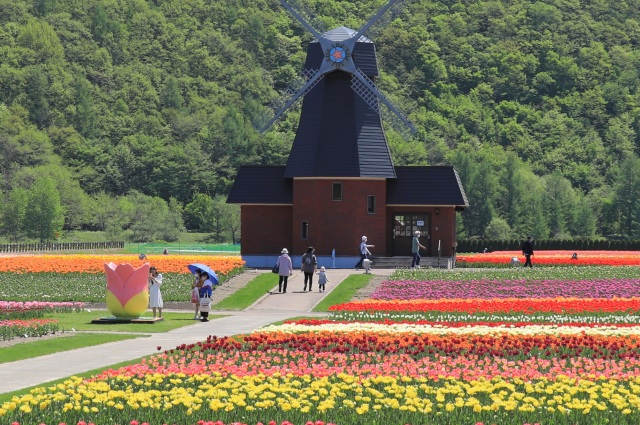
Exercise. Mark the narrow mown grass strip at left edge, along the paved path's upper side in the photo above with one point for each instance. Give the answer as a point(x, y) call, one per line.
point(37, 348)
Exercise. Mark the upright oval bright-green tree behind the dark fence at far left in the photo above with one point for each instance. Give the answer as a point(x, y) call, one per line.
point(45, 216)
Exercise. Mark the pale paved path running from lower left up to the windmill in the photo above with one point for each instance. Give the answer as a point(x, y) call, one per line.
point(272, 307)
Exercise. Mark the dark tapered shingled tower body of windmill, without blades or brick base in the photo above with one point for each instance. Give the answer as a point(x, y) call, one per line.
point(339, 135)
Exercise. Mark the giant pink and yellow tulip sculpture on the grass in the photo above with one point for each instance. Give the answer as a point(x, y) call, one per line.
point(127, 290)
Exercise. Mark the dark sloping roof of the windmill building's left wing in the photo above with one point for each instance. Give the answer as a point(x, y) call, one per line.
point(261, 185)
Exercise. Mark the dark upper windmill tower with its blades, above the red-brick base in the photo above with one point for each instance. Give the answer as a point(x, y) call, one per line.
point(340, 132)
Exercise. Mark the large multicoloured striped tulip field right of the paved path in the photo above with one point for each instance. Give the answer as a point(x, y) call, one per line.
point(557, 345)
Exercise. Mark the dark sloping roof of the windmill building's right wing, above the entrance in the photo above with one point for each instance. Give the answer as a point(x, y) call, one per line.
point(426, 186)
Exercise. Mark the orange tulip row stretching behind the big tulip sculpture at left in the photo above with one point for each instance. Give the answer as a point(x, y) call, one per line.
point(86, 263)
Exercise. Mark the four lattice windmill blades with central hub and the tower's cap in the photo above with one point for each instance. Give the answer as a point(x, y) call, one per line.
point(340, 49)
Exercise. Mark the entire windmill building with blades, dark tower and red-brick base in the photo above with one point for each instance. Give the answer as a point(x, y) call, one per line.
point(339, 182)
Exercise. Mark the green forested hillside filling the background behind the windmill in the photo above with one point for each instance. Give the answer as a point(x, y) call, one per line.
point(536, 104)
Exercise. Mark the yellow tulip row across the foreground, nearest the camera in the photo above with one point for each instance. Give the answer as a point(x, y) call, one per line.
point(336, 398)
